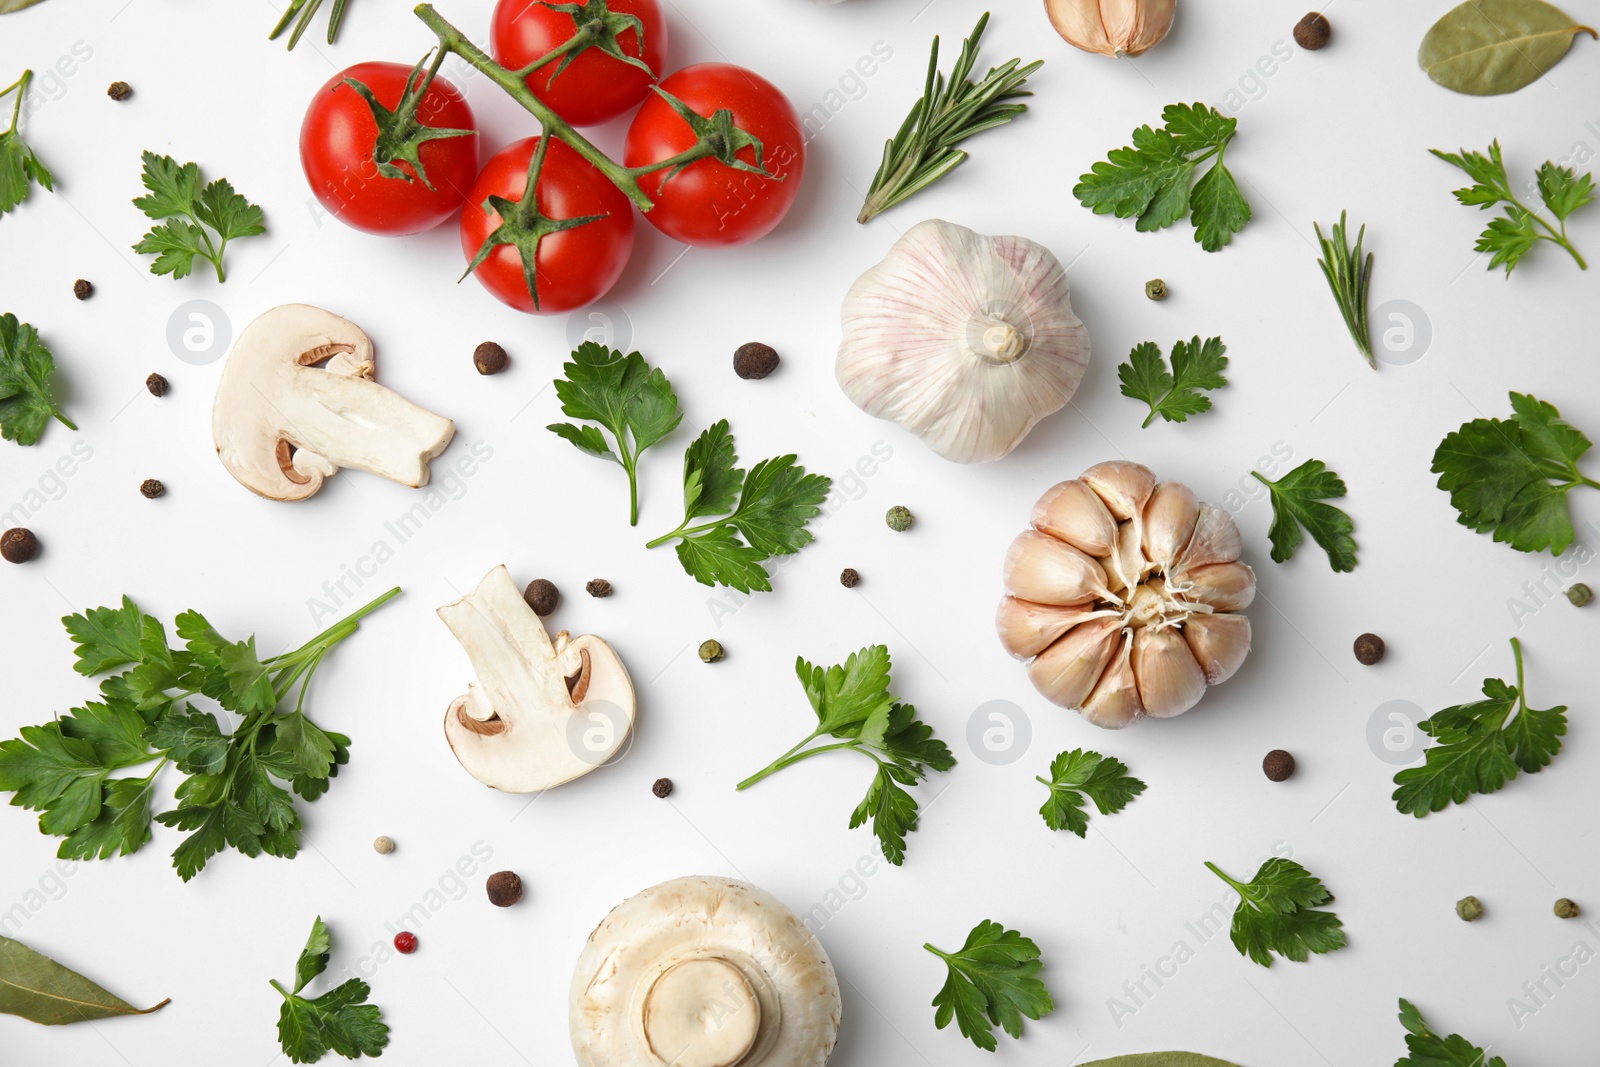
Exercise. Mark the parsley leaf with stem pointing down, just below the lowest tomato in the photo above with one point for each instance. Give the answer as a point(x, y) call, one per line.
point(623, 394)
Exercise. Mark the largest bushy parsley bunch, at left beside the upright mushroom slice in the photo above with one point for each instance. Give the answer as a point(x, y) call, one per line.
point(148, 714)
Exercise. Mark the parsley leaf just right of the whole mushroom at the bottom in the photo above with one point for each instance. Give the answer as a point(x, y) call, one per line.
point(991, 983)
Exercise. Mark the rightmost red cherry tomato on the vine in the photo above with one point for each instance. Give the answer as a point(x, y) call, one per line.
point(710, 202)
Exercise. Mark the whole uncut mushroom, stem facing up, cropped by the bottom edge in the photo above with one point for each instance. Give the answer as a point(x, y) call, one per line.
point(703, 973)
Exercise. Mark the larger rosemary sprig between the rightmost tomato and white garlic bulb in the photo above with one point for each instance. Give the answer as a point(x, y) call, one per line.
point(950, 111)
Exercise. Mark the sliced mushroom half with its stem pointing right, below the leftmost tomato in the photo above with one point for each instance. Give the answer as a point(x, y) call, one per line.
point(297, 402)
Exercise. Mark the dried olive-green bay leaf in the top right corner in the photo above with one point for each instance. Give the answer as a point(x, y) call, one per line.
point(1492, 47)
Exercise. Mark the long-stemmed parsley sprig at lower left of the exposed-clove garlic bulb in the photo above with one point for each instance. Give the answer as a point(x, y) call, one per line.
point(854, 708)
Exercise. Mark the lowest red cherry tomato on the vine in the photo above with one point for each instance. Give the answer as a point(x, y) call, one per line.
point(575, 266)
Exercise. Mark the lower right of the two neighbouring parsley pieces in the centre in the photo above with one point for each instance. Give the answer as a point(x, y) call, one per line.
point(777, 498)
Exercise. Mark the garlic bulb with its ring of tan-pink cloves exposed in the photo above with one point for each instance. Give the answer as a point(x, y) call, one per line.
point(1126, 596)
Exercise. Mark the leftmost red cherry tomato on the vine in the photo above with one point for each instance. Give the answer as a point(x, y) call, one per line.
point(337, 151)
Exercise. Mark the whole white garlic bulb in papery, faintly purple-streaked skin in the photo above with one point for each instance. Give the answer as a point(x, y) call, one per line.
point(964, 340)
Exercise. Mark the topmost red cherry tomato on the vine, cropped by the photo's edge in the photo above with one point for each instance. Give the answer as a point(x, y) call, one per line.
point(596, 87)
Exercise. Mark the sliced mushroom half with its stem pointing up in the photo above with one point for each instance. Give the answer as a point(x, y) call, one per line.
point(542, 711)
